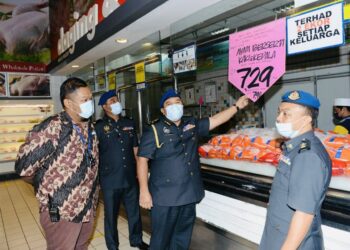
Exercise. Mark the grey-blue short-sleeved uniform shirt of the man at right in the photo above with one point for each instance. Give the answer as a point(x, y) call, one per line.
point(301, 181)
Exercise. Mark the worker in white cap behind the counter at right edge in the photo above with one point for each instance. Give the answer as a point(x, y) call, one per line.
point(342, 115)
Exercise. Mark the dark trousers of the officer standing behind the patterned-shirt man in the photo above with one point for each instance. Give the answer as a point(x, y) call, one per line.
point(112, 199)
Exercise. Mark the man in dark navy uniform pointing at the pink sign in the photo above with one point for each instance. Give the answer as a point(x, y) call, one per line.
point(175, 183)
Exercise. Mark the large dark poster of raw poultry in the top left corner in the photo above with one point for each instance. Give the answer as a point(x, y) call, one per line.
point(24, 36)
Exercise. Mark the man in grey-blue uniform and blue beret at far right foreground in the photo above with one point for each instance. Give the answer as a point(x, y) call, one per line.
point(302, 178)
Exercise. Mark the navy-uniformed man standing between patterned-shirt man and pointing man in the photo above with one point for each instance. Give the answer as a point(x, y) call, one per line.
point(118, 145)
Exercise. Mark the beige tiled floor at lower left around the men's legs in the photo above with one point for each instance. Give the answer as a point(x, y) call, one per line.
point(20, 227)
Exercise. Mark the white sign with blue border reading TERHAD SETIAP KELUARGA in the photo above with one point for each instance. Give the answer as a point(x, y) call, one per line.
point(316, 29)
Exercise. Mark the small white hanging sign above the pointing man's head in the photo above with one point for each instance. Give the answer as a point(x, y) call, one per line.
point(185, 59)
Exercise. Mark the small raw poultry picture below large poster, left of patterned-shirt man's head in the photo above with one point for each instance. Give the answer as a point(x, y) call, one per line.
point(28, 85)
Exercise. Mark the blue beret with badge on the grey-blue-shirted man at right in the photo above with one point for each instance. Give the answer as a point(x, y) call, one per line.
point(302, 98)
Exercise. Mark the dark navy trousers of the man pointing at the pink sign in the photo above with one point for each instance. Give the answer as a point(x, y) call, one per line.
point(172, 227)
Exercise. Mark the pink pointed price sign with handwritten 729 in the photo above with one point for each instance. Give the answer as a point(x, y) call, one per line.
point(257, 58)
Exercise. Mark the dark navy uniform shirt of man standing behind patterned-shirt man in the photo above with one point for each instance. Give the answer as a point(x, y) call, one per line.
point(117, 140)
